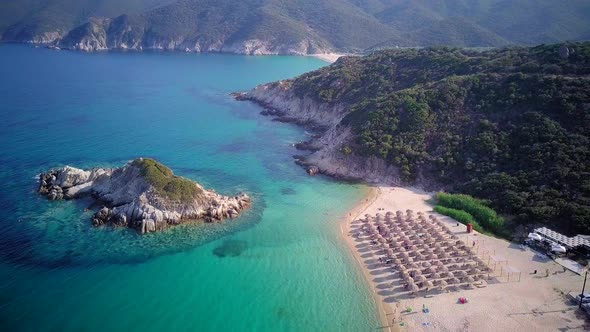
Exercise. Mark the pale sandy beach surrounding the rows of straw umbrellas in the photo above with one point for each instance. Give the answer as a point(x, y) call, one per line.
point(536, 302)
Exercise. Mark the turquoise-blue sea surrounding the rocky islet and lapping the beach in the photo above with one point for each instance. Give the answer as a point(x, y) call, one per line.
point(280, 267)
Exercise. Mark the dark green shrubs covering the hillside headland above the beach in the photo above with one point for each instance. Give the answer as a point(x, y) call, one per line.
point(511, 126)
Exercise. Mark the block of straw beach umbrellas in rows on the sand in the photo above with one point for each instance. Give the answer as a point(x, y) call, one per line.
point(422, 251)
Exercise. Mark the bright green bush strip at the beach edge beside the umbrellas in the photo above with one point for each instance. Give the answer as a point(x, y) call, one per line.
point(483, 215)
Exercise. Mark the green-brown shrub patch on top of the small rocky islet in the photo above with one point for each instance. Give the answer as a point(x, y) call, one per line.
point(166, 183)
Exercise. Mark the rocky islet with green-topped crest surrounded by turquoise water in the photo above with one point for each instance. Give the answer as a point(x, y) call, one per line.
point(144, 195)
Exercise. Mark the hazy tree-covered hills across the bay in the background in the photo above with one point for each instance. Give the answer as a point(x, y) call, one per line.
point(338, 24)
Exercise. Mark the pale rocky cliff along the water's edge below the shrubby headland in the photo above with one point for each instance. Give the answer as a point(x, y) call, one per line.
point(328, 148)
